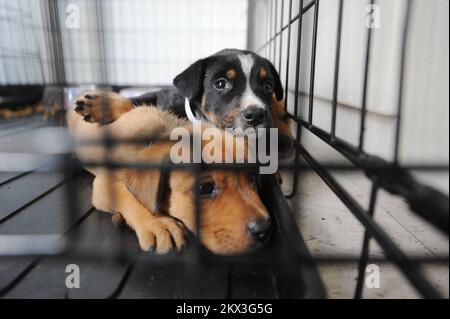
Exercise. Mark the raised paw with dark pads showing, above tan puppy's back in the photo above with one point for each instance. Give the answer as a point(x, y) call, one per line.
point(102, 106)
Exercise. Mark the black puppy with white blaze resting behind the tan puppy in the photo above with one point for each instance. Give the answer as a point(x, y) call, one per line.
point(230, 89)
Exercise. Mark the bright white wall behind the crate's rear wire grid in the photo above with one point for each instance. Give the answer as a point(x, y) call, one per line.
point(147, 42)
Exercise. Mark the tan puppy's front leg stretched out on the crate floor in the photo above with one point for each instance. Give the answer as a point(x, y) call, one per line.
point(153, 231)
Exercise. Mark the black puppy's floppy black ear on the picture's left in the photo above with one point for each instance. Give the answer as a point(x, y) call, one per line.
point(190, 81)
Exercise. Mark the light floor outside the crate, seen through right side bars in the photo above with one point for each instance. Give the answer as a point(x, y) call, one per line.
point(329, 228)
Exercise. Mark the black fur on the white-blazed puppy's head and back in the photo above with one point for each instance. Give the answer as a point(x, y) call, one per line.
point(197, 83)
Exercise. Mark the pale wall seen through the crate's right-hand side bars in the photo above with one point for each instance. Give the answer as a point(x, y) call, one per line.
point(424, 134)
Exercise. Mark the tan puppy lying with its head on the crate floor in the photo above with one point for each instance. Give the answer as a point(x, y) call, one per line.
point(157, 207)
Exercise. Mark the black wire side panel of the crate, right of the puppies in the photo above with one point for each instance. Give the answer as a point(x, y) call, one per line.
point(425, 201)
